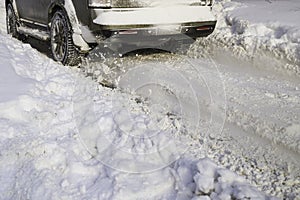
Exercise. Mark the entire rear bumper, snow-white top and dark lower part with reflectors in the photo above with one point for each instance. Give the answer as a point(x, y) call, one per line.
point(153, 25)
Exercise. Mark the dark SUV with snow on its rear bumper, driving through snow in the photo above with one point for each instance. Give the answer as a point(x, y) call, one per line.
point(75, 27)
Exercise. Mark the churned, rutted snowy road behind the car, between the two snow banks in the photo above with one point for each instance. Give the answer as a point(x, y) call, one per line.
point(239, 113)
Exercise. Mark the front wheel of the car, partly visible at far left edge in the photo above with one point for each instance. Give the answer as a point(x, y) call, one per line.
point(11, 21)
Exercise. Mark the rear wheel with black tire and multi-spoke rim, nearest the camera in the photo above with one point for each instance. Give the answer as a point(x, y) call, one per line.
point(61, 41)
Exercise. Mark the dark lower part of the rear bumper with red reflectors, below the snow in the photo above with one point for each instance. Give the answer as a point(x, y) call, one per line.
point(153, 36)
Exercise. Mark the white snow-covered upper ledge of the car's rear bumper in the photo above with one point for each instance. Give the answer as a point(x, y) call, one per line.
point(120, 18)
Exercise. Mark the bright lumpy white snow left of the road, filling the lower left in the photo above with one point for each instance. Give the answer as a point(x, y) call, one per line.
point(65, 137)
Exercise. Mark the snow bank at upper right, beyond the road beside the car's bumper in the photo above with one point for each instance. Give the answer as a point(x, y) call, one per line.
point(257, 29)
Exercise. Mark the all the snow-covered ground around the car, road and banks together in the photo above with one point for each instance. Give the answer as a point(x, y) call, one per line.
point(180, 128)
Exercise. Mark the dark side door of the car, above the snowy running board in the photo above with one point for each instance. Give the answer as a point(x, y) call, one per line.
point(34, 10)
